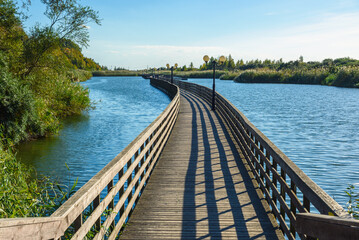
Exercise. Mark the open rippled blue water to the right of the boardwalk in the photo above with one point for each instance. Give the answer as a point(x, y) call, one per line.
point(317, 127)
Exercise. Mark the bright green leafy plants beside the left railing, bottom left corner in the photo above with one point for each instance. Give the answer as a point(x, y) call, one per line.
point(22, 193)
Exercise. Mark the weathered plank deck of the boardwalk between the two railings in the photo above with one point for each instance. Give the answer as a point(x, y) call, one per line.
point(200, 188)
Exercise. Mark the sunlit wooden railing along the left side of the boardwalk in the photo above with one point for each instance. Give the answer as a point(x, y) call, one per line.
point(102, 206)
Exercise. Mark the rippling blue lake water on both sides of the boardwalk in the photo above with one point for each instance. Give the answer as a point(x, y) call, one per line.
point(315, 126)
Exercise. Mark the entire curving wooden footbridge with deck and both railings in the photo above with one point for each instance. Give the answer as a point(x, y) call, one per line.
point(194, 173)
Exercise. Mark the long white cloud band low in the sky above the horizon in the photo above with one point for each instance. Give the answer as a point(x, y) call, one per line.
point(327, 36)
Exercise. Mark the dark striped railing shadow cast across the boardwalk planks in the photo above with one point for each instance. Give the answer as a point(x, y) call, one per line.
point(190, 219)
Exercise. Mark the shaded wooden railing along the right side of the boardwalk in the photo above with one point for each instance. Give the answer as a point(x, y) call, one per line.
point(287, 189)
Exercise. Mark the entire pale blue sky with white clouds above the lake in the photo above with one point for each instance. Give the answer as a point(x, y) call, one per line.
point(137, 34)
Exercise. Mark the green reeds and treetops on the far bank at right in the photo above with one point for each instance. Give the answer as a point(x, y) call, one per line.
point(341, 72)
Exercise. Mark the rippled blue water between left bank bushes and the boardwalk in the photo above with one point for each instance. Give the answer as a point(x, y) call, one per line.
point(125, 106)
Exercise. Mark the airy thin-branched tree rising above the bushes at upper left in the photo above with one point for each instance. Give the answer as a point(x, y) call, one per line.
point(68, 20)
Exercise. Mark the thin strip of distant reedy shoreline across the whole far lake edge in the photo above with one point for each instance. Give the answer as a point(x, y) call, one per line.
point(345, 77)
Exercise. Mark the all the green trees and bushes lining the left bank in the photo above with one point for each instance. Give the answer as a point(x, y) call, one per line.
point(37, 90)
